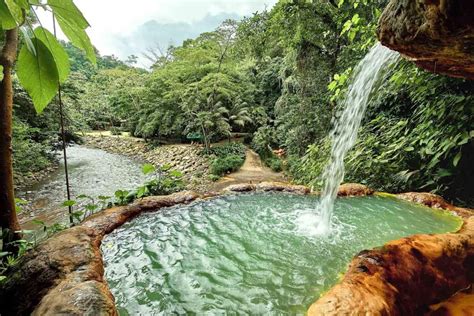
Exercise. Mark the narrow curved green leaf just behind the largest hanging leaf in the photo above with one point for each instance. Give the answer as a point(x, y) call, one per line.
point(57, 50)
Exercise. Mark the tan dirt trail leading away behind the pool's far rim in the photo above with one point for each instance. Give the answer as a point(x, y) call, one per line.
point(253, 171)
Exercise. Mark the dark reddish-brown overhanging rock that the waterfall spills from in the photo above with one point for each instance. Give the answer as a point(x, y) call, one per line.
point(437, 35)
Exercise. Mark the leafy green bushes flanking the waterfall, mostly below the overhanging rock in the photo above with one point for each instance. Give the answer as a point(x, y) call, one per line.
point(417, 136)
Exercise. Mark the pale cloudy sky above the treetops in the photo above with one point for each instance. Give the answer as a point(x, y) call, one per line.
point(123, 28)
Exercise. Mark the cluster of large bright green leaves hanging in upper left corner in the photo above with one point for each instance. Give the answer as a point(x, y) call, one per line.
point(42, 62)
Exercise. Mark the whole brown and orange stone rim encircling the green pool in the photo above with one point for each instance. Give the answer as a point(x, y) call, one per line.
point(65, 273)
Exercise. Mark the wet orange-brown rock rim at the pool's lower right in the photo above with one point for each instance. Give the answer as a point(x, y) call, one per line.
point(406, 276)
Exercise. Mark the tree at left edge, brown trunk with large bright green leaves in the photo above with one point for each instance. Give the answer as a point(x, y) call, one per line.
point(42, 66)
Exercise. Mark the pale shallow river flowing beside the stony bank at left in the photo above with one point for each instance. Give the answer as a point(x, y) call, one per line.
point(92, 172)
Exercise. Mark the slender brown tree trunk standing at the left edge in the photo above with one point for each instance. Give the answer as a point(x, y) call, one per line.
point(8, 218)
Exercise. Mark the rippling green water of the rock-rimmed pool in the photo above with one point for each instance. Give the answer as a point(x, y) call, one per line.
point(249, 253)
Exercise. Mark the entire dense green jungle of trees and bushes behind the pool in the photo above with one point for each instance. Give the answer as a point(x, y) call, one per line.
point(278, 76)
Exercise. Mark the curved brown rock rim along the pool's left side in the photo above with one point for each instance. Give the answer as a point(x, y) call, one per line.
point(65, 274)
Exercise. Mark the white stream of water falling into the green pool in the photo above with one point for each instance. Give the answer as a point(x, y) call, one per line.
point(344, 134)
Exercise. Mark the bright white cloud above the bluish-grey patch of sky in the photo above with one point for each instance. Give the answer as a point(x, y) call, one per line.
point(112, 19)
